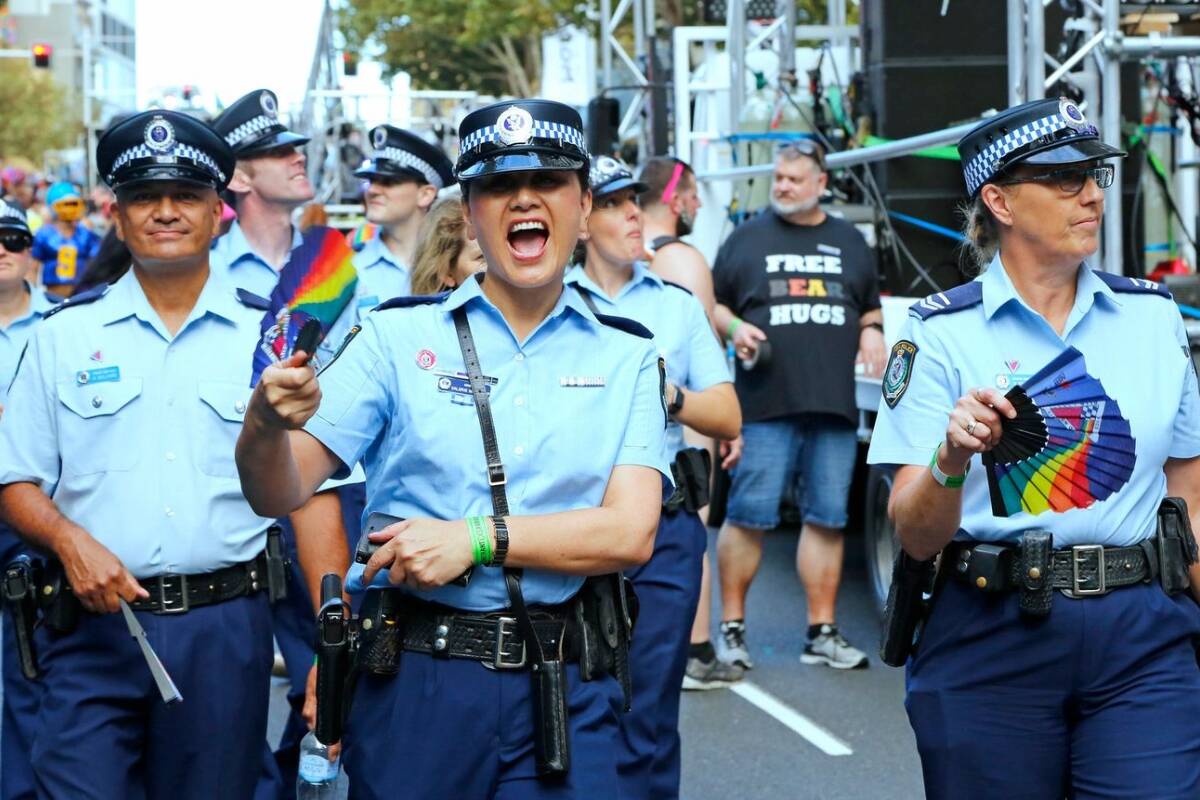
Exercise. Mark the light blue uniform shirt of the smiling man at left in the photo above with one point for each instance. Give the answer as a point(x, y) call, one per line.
point(131, 431)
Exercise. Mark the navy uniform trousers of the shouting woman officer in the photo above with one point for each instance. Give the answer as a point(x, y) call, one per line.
point(453, 729)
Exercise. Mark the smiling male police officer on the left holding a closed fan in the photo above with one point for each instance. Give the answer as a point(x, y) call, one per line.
point(117, 454)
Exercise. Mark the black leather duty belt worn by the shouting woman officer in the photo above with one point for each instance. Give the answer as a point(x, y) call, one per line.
point(493, 639)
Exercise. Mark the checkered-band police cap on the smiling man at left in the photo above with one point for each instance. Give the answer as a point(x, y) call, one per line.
point(164, 147)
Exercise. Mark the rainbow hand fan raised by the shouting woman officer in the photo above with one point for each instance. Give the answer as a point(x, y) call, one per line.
point(316, 286)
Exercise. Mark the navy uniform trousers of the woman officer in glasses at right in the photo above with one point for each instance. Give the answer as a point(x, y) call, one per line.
point(1099, 700)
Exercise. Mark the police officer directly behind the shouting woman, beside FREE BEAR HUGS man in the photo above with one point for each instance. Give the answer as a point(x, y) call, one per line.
point(700, 392)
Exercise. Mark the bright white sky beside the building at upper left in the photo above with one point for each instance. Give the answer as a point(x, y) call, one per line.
point(226, 49)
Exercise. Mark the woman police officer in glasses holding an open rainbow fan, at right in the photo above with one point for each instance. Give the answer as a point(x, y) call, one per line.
point(1064, 665)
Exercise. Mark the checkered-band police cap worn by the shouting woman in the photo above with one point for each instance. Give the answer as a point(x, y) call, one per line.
point(521, 136)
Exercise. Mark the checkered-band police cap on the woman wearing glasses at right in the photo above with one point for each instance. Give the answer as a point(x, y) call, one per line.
point(1040, 133)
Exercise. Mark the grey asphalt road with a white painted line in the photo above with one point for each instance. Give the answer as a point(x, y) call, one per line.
point(773, 737)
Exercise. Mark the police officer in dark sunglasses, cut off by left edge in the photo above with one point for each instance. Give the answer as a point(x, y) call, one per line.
point(22, 306)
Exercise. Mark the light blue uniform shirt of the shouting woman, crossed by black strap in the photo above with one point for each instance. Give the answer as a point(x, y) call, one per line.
point(573, 401)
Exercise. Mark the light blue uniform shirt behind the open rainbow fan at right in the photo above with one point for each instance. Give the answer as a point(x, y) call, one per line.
point(1133, 344)
